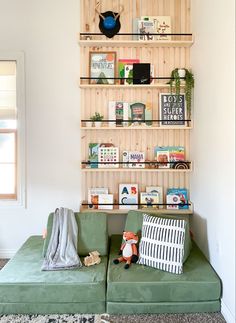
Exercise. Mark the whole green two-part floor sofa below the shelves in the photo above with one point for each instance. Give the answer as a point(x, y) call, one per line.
point(106, 287)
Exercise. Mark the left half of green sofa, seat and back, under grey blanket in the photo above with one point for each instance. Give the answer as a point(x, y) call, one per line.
point(24, 288)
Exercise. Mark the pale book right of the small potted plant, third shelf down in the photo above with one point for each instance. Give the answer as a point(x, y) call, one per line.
point(118, 111)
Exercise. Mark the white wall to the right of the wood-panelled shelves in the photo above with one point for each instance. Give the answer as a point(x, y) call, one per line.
point(213, 140)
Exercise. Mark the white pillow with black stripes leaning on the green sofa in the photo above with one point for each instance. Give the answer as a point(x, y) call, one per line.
point(162, 243)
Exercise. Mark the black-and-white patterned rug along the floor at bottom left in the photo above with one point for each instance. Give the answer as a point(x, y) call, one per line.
point(64, 318)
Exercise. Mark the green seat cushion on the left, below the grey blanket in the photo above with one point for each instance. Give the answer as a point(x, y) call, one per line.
point(22, 281)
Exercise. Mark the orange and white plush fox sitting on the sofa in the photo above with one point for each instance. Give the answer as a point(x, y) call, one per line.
point(128, 249)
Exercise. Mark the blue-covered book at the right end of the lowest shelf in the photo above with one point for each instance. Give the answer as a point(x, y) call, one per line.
point(176, 197)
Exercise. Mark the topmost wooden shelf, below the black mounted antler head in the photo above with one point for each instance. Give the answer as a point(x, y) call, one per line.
point(134, 43)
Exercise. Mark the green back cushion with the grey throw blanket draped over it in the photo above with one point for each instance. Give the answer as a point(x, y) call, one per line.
point(92, 232)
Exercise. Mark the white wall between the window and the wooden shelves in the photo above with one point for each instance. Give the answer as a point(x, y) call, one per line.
point(46, 32)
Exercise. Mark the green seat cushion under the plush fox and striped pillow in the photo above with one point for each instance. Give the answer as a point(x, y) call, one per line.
point(144, 284)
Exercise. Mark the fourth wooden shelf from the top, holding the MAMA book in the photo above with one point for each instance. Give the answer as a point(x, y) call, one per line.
point(128, 170)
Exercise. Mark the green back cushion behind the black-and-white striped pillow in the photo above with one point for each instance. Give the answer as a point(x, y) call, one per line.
point(134, 223)
